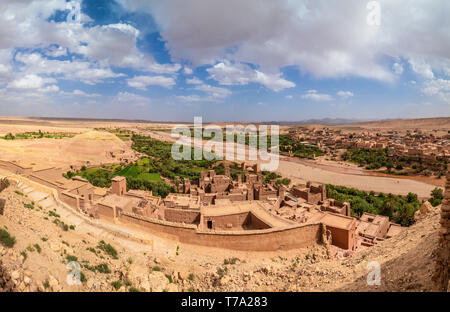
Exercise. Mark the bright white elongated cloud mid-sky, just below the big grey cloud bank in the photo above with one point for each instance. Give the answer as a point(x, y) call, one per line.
point(227, 73)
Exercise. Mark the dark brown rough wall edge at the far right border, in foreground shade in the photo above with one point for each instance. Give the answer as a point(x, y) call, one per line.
point(441, 276)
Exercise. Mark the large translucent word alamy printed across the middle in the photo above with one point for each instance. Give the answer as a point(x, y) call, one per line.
point(239, 143)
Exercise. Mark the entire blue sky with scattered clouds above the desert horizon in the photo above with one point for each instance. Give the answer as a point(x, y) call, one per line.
point(234, 60)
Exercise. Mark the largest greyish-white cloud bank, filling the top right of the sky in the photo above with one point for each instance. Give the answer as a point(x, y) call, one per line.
point(324, 38)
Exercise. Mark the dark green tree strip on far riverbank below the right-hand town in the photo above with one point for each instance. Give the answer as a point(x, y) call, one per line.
point(372, 158)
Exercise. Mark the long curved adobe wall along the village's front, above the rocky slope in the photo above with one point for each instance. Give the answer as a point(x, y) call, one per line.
point(300, 236)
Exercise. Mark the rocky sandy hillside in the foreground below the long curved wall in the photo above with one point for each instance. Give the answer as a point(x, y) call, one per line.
point(37, 243)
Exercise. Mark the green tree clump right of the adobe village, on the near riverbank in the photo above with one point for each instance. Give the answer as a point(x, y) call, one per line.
point(399, 208)
